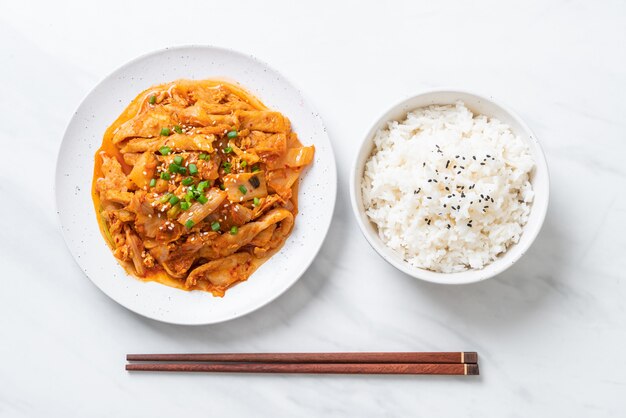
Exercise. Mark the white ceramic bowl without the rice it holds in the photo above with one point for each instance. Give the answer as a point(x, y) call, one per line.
point(477, 104)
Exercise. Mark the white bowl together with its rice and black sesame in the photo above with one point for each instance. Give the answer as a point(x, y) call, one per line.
point(450, 187)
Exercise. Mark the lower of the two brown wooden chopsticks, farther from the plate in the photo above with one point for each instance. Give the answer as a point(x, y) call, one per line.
point(313, 368)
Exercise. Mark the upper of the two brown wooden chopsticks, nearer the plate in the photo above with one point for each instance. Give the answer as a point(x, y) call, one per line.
point(390, 357)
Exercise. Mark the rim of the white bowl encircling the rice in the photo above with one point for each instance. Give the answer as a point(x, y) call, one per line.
point(469, 276)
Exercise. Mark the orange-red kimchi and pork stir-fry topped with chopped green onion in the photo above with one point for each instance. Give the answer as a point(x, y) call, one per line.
point(196, 184)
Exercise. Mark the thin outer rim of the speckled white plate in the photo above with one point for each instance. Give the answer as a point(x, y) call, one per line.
point(332, 173)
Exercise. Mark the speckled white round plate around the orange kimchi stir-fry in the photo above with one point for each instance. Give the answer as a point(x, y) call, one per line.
point(75, 168)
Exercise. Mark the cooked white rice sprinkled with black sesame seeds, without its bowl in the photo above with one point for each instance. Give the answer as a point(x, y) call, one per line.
point(455, 218)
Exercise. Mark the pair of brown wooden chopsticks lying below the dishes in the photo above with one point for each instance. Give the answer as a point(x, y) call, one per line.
point(435, 363)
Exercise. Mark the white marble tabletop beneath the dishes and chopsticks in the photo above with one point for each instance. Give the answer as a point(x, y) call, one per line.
point(551, 331)
